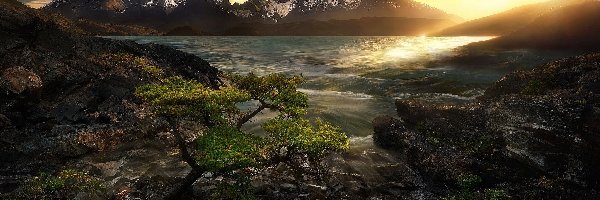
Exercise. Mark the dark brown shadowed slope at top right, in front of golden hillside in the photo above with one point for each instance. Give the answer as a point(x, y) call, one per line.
point(570, 27)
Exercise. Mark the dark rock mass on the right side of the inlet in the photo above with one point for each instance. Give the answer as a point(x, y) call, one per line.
point(534, 134)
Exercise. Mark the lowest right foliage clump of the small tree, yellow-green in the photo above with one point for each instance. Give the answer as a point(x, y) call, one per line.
point(299, 135)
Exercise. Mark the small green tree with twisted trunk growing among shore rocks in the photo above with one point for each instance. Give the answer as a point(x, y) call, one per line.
point(224, 147)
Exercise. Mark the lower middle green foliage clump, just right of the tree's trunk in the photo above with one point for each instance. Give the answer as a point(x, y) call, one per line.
point(225, 148)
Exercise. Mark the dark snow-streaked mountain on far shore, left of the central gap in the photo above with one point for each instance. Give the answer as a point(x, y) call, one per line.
point(163, 14)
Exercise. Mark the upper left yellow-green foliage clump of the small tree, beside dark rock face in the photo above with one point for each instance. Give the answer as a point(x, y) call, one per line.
point(178, 97)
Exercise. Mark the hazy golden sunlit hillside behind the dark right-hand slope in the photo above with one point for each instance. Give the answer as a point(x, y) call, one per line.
point(508, 21)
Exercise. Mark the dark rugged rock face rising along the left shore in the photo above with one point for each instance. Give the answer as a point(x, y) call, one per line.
point(63, 95)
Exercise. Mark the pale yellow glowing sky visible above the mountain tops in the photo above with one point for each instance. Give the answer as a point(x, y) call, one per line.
point(467, 9)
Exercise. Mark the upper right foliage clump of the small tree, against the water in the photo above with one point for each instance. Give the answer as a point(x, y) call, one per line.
point(275, 89)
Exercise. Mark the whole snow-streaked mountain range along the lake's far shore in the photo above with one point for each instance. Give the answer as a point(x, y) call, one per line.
point(219, 16)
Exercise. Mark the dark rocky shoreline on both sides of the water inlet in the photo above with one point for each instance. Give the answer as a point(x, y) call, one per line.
point(66, 102)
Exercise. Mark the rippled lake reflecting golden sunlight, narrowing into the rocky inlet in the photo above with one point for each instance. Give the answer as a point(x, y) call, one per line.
point(352, 80)
